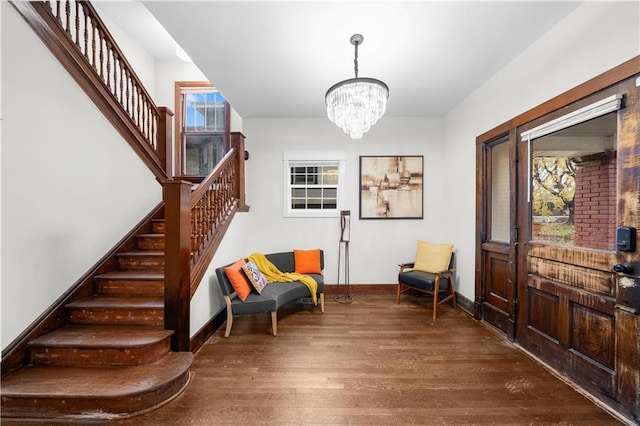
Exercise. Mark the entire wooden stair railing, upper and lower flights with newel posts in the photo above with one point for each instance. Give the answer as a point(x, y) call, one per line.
point(197, 218)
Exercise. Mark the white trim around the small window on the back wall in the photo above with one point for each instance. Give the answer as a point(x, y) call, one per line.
point(290, 158)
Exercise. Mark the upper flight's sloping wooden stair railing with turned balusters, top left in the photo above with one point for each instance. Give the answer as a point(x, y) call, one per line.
point(80, 40)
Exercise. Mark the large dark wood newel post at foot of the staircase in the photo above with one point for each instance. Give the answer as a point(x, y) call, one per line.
point(177, 262)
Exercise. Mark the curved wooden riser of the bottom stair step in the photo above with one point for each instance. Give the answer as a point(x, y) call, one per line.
point(87, 409)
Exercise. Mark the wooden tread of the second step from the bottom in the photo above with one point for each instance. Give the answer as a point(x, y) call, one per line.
point(102, 336)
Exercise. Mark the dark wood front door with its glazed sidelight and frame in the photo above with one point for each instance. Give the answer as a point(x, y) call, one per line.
point(552, 271)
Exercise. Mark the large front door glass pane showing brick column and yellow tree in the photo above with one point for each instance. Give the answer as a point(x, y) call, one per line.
point(573, 185)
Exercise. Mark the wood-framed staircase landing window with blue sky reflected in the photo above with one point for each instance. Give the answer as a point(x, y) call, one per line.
point(202, 128)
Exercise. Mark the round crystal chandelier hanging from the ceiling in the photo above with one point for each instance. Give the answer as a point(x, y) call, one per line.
point(356, 104)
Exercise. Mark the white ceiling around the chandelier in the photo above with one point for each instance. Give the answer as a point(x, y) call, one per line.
point(278, 58)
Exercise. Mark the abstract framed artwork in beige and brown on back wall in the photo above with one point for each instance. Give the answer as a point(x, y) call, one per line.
point(391, 187)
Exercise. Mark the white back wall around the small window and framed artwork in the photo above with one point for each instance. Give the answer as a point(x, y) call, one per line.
point(377, 246)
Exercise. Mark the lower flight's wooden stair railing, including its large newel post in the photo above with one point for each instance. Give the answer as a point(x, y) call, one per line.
point(196, 219)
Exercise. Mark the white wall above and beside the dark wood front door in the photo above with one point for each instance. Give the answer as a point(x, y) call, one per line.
point(596, 37)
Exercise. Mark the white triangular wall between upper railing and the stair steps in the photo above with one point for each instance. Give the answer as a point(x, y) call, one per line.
point(64, 174)
